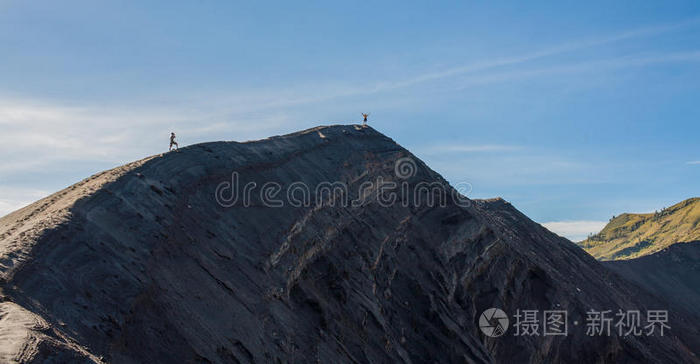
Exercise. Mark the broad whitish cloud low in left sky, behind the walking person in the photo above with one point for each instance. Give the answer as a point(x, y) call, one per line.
point(37, 133)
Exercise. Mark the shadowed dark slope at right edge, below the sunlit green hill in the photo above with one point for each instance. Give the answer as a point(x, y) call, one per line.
point(673, 274)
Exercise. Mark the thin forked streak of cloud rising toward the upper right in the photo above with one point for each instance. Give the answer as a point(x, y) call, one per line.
point(478, 72)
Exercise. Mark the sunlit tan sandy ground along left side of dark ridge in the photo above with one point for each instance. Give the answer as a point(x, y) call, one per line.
point(24, 335)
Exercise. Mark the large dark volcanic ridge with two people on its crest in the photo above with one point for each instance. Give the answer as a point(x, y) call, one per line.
point(156, 261)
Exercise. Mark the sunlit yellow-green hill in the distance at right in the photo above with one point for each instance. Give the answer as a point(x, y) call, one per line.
point(635, 235)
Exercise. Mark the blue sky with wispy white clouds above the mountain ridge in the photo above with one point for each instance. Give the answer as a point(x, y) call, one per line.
point(573, 111)
